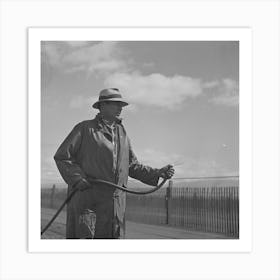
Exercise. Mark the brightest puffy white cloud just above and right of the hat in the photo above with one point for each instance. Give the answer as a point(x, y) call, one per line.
point(155, 89)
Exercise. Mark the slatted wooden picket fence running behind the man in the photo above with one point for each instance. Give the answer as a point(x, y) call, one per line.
point(207, 209)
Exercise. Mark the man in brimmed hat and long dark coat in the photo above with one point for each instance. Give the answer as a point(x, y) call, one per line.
point(100, 148)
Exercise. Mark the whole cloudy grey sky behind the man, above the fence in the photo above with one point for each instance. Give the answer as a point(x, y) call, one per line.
point(184, 100)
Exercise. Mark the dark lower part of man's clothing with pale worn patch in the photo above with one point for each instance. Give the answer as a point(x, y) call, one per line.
point(91, 215)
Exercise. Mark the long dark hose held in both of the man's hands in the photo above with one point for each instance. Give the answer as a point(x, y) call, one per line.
point(71, 194)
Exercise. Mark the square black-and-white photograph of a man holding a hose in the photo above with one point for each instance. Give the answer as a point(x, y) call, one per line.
point(140, 139)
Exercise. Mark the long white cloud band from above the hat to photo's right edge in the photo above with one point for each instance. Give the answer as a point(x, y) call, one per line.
point(171, 92)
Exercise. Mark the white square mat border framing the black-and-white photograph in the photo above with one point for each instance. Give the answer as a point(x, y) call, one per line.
point(243, 35)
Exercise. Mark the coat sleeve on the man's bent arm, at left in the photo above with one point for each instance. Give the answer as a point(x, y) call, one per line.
point(66, 157)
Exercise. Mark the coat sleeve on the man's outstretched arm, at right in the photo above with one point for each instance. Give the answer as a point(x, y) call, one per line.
point(143, 173)
